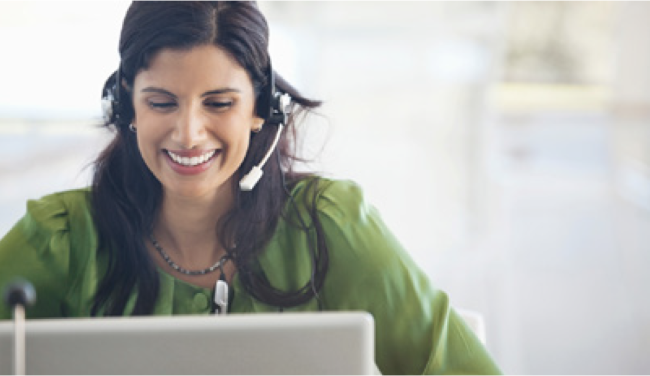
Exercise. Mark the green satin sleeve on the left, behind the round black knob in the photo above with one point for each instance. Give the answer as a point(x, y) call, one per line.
point(48, 247)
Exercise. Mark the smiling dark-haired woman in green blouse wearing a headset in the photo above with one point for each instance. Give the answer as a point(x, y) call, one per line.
point(195, 106)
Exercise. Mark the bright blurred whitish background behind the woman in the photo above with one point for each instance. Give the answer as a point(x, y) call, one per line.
point(507, 144)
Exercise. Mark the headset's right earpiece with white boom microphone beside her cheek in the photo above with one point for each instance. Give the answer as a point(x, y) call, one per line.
point(277, 113)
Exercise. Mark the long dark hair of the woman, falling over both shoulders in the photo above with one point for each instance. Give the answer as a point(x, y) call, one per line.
point(126, 195)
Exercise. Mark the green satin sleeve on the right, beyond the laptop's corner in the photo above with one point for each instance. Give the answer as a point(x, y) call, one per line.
point(416, 329)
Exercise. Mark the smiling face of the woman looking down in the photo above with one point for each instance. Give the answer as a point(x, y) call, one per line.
point(194, 111)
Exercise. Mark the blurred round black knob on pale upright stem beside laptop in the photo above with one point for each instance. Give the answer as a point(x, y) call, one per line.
point(18, 295)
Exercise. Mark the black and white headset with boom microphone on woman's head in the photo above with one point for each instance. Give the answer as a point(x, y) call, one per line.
point(273, 106)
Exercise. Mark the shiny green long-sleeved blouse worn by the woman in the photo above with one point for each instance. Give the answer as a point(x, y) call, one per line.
point(54, 246)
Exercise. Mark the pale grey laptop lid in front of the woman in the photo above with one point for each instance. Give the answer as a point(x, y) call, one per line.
point(277, 343)
